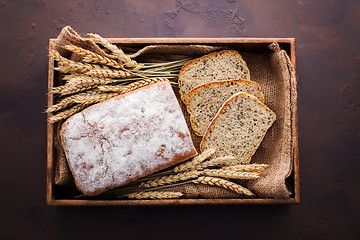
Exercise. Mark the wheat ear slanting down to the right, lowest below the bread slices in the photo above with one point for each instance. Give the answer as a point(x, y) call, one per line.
point(224, 184)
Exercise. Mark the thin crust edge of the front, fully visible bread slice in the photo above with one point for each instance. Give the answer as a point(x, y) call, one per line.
point(221, 111)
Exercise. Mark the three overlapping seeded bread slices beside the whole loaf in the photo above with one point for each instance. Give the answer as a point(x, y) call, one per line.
point(225, 107)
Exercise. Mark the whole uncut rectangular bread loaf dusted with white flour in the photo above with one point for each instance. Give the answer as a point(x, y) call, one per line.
point(129, 136)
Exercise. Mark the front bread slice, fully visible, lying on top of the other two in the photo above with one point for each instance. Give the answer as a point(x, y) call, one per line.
point(239, 127)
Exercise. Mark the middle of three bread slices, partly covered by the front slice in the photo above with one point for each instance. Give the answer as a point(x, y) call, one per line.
point(205, 100)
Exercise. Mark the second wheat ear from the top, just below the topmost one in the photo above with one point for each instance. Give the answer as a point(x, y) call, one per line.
point(91, 57)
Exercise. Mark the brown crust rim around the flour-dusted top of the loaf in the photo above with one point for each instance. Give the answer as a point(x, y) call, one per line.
point(176, 159)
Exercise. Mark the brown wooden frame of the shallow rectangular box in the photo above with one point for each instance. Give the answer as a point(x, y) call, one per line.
point(55, 195)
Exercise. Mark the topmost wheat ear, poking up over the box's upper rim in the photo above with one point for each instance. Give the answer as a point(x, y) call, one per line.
point(117, 52)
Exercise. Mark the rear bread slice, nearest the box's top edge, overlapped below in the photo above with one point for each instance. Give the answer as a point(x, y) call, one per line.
point(217, 66)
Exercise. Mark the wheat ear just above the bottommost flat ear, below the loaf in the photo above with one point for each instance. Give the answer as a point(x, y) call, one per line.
point(171, 179)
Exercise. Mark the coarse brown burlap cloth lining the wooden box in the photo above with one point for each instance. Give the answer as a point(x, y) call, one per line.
point(272, 70)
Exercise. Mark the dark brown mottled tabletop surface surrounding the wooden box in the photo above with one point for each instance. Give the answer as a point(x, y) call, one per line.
point(328, 69)
